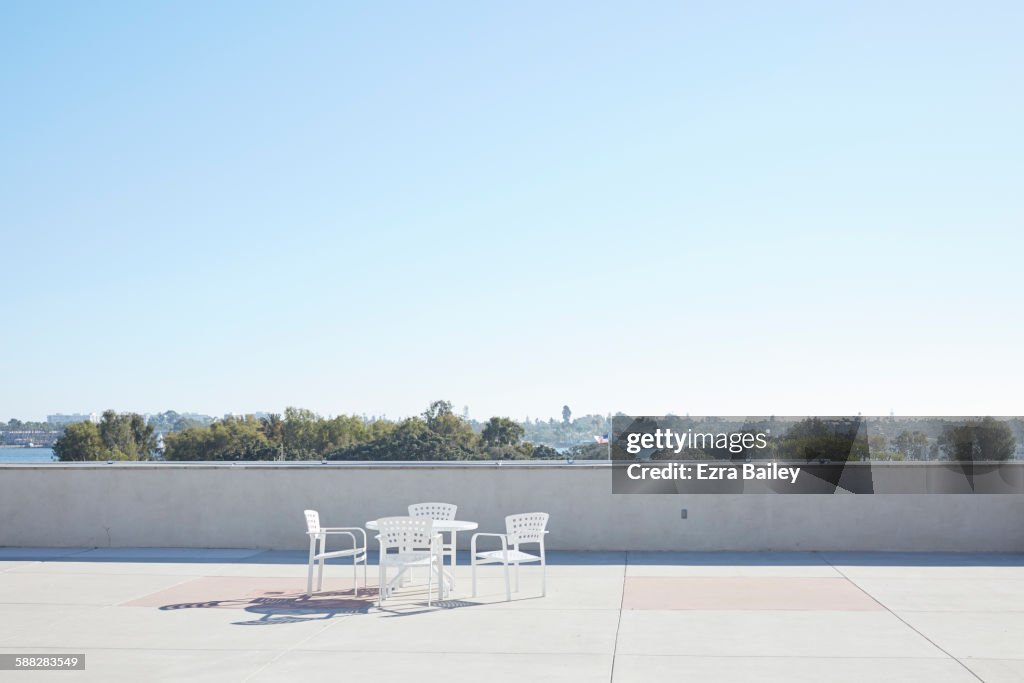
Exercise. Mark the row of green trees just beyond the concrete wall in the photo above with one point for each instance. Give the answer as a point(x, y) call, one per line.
point(440, 435)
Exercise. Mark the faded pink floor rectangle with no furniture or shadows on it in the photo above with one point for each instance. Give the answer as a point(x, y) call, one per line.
point(746, 593)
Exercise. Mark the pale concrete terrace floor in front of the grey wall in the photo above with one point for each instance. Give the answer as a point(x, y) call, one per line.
point(240, 616)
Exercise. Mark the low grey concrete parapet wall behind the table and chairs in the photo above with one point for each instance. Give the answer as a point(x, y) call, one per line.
point(261, 506)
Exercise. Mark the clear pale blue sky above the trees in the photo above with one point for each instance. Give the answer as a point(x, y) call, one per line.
point(727, 208)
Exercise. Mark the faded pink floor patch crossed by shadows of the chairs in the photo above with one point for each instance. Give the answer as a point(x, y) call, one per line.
point(244, 592)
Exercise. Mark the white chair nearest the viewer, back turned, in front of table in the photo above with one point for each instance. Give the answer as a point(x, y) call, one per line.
point(408, 543)
